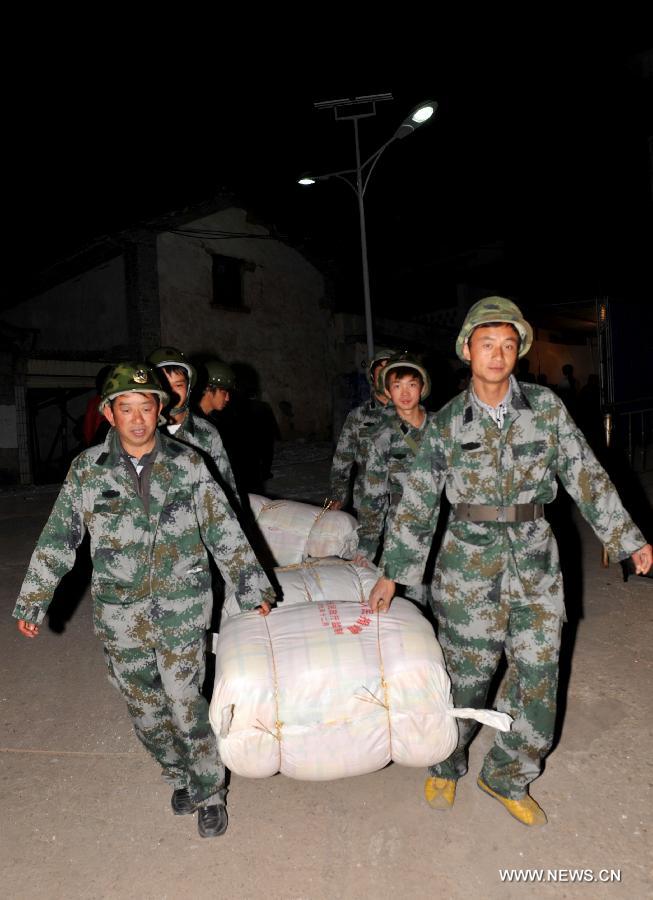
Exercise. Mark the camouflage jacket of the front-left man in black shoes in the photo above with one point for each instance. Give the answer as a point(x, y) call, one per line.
point(160, 558)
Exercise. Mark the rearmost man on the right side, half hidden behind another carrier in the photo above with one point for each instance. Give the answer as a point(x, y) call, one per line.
point(351, 449)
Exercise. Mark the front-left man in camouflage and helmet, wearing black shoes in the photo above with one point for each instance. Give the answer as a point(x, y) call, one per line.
point(152, 510)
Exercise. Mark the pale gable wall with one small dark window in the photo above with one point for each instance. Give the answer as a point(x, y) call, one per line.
point(284, 332)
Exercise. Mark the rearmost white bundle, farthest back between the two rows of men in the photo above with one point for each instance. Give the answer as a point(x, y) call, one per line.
point(296, 531)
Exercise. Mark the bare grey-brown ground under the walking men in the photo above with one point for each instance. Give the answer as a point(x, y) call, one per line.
point(86, 815)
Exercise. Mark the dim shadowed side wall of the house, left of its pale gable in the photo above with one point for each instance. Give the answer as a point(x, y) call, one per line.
point(86, 314)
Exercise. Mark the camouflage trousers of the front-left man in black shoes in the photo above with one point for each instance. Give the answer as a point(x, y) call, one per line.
point(162, 686)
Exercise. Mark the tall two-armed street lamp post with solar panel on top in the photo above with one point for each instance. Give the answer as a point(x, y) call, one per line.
point(358, 178)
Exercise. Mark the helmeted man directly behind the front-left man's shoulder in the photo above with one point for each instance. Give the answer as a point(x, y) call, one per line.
point(189, 428)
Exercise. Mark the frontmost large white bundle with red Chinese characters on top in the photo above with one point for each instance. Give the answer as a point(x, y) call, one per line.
point(326, 690)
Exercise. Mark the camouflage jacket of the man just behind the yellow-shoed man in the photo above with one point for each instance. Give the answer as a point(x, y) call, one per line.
point(391, 448)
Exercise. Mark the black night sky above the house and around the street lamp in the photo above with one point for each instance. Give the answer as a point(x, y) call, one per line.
point(540, 146)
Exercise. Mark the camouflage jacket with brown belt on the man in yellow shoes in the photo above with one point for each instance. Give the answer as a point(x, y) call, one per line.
point(464, 451)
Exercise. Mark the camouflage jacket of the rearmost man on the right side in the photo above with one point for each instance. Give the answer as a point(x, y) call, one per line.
point(352, 449)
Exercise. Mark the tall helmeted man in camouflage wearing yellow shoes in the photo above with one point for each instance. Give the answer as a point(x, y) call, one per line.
point(497, 448)
